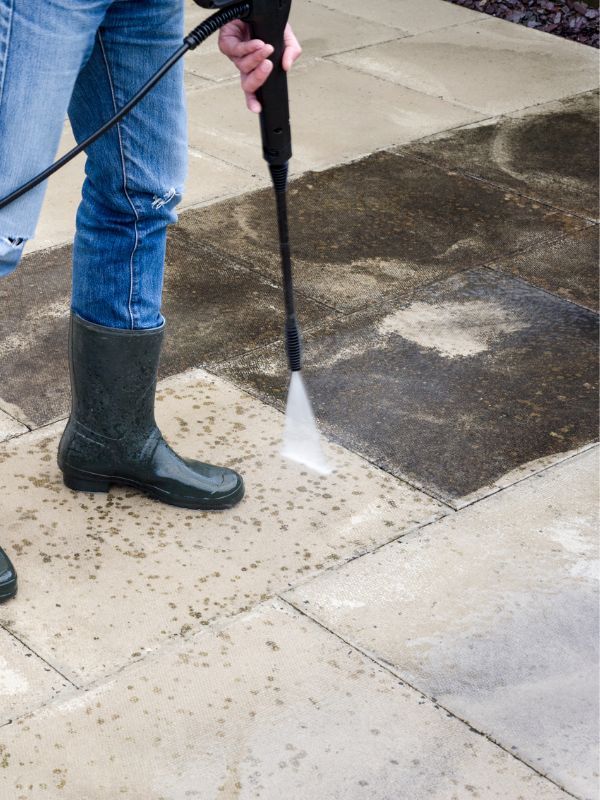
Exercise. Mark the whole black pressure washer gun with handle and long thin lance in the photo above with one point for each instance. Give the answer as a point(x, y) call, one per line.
point(267, 20)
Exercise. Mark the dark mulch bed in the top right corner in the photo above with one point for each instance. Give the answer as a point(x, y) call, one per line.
point(569, 18)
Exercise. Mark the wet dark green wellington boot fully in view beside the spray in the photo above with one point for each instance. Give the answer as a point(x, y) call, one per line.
point(111, 435)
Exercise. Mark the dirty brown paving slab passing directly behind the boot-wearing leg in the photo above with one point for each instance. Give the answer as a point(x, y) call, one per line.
point(214, 307)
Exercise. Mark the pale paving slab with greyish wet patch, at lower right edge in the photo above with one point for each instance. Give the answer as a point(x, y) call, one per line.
point(493, 612)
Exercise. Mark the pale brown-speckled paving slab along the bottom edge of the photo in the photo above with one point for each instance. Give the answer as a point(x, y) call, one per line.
point(269, 707)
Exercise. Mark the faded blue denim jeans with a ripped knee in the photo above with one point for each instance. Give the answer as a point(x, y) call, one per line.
point(87, 58)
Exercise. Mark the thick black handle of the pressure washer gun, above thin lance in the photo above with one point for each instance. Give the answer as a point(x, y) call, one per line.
point(268, 19)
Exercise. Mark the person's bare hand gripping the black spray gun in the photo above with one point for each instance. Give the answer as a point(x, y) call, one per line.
point(251, 57)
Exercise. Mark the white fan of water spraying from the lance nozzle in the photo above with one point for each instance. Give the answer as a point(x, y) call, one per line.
point(301, 440)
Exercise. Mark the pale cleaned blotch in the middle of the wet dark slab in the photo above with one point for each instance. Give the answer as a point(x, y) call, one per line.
point(454, 329)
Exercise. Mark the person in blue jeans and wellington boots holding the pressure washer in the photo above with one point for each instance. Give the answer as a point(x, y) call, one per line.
point(87, 58)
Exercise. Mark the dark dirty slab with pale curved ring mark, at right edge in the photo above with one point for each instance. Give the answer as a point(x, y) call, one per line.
point(543, 152)
